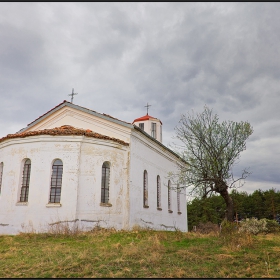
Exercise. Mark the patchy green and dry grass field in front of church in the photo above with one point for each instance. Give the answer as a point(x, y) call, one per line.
point(139, 254)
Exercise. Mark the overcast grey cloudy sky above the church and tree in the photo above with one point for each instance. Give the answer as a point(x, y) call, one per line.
point(176, 56)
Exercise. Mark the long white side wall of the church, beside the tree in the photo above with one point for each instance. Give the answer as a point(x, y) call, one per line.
point(147, 155)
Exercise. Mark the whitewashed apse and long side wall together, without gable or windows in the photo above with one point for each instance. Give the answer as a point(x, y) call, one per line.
point(82, 159)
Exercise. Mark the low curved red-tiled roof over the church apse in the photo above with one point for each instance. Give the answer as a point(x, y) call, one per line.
point(63, 130)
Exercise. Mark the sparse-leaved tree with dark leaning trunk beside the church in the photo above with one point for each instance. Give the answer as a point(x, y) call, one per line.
point(211, 149)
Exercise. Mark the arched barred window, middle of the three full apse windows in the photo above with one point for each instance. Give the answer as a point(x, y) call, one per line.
point(56, 181)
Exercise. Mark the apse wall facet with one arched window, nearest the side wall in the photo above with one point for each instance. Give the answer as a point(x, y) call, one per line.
point(90, 210)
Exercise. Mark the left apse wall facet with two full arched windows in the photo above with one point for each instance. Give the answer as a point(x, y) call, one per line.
point(37, 213)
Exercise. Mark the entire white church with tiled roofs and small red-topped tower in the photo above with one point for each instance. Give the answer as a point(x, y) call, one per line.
point(77, 166)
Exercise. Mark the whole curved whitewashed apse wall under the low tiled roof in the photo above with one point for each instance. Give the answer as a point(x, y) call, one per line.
point(81, 187)
